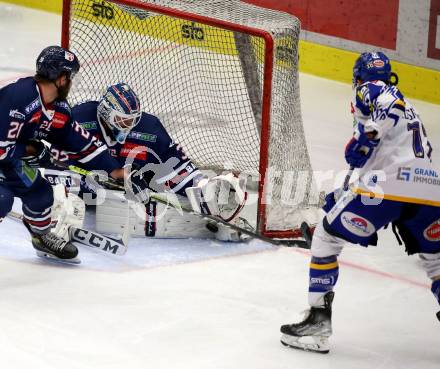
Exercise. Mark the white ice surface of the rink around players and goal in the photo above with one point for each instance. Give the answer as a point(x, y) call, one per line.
point(202, 304)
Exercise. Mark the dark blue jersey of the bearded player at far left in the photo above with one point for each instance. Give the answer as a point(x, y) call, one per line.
point(24, 116)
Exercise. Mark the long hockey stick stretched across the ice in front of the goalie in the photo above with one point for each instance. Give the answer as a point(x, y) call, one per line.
point(161, 199)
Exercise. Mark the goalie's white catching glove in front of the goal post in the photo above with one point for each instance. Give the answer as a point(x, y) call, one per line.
point(222, 196)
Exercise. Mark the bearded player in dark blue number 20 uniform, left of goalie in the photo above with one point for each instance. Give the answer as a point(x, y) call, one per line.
point(34, 109)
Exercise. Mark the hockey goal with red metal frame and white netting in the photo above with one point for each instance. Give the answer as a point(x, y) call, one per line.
point(221, 75)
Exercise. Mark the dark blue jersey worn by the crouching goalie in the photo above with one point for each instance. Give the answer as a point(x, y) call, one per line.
point(148, 146)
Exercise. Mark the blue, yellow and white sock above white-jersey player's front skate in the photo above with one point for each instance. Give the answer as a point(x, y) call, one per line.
point(323, 275)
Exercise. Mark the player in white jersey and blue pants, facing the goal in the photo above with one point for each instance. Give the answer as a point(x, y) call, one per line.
point(391, 150)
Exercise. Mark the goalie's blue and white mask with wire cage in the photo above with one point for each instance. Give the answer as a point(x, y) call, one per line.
point(119, 109)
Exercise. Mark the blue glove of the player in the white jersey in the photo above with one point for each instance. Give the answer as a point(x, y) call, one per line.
point(360, 148)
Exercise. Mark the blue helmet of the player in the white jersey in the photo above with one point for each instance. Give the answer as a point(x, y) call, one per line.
point(372, 67)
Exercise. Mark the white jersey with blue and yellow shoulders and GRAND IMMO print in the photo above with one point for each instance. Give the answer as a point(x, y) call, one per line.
point(400, 167)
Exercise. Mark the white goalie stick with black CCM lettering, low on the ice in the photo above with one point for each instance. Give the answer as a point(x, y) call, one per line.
point(89, 238)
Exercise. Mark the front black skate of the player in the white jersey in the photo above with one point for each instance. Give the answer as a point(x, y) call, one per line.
point(313, 332)
